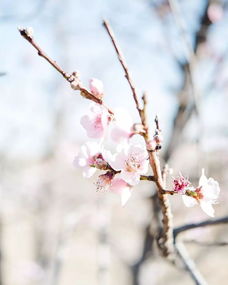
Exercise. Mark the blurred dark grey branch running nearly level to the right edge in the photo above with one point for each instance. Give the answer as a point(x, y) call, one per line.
point(206, 223)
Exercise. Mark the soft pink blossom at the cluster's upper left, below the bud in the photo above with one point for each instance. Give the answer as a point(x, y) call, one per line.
point(96, 121)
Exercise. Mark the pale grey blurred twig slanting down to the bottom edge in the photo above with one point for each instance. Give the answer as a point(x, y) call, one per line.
point(189, 264)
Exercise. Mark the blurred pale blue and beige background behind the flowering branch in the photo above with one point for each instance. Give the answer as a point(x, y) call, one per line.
point(55, 228)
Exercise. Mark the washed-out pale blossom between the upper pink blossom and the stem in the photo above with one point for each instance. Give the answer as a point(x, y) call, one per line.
point(122, 126)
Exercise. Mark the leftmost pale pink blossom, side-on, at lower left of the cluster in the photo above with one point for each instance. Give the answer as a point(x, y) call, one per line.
point(88, 158)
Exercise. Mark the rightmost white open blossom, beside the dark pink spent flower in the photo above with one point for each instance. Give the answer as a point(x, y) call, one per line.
point(206, 194)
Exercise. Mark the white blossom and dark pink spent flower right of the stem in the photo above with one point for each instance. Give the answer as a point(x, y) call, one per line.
point(205, 194)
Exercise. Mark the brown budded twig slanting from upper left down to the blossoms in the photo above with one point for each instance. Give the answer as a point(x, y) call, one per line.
point(71, 78)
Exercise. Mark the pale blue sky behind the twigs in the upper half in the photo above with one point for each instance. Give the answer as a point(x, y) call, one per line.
point(71, 33)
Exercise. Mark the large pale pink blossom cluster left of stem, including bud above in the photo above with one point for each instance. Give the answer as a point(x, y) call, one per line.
point(124, 168)
